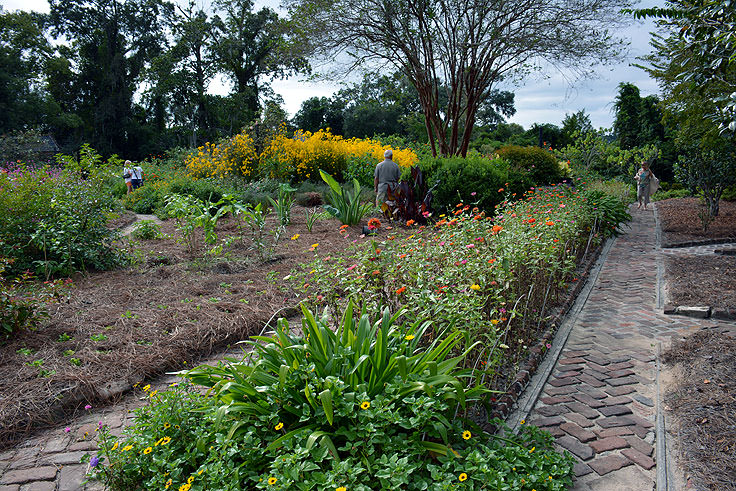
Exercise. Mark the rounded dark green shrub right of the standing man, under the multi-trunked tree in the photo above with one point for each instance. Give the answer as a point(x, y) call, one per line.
point(468, 180)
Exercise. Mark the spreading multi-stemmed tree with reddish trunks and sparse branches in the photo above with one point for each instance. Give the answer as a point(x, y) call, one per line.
point(465, 45)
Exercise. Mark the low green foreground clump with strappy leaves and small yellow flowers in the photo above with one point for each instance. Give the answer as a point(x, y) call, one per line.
point(372, 405)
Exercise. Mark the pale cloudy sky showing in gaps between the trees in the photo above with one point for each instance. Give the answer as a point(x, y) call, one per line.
point(537, 100)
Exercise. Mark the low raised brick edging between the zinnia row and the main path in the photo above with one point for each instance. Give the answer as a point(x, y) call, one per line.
point(505, 402)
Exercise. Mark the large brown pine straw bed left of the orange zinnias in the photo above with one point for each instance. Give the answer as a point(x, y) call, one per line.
point(124, 326)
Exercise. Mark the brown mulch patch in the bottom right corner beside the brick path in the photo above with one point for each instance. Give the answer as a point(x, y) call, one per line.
point(702, 400)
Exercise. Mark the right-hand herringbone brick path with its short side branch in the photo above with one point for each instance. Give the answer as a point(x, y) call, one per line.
point(600, 400)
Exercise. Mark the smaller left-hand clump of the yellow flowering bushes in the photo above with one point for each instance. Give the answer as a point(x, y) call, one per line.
point(236, 155)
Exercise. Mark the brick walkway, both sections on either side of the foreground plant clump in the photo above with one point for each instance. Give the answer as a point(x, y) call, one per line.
point(600, 398)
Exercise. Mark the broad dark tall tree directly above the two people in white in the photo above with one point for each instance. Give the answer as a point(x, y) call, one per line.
point(115, 40)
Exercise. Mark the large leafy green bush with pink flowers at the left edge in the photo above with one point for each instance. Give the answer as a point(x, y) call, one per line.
point(54, 221)
